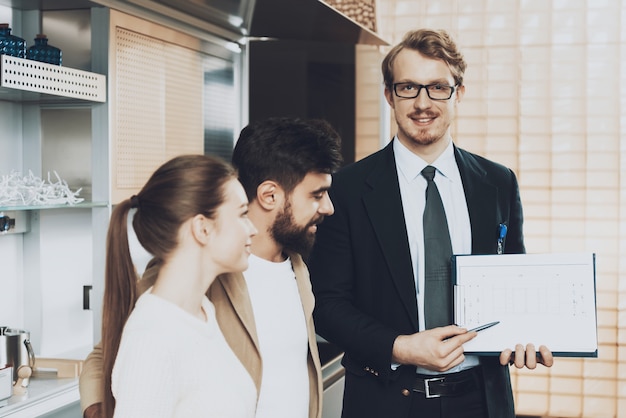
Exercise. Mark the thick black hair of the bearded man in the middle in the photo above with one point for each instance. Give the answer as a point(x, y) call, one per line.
point(285, 150)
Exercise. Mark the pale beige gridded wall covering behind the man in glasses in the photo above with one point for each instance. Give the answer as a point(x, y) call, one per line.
point(546, 96)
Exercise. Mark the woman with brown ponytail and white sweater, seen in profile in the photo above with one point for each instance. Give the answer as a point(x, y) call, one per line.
point(163, 352)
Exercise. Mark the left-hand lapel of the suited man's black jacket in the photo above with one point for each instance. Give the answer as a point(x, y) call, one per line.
point(384, 207)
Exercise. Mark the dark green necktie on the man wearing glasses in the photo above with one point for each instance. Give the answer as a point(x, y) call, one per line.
point(437, 254)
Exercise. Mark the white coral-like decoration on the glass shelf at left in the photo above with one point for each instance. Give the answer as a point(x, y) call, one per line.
point(16, 190)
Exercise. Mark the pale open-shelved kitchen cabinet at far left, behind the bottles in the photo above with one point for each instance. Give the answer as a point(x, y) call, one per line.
point(49, 117)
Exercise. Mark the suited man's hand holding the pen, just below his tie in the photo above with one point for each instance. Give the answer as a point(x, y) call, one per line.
point(437, 349)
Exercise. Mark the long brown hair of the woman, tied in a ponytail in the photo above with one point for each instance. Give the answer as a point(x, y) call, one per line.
point(177, 191)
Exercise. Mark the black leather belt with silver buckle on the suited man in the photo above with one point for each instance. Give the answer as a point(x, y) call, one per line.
point(452, 384)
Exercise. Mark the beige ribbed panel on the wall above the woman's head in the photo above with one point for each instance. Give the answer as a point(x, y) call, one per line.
point(156, 100)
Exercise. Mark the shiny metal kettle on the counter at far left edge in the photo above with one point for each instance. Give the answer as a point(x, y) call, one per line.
point(16, 350)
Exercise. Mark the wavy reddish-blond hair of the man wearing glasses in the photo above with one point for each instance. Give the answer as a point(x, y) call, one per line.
point(435, 44)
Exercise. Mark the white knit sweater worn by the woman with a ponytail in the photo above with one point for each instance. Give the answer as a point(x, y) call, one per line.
point(171, 364)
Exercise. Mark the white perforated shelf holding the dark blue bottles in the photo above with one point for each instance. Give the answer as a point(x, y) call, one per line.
point(33, 81)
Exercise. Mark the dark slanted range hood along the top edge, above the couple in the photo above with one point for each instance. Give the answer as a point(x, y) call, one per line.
point(302, 20)
